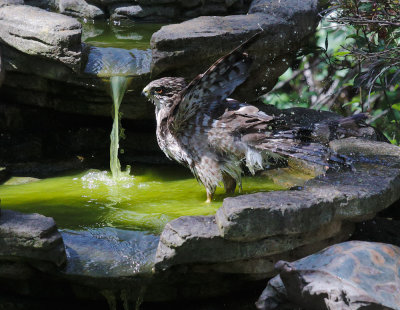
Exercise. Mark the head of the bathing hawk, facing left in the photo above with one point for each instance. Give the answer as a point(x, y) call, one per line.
point(163, 91)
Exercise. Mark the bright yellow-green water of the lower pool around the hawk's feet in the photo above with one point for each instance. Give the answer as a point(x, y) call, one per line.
point(147, 201)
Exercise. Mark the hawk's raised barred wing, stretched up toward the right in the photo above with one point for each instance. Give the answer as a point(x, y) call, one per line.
point(213, 86)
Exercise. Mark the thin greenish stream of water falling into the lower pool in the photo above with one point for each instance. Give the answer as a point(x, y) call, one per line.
point(118, 86)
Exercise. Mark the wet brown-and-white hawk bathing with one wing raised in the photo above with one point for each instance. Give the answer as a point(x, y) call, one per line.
point(215, 136)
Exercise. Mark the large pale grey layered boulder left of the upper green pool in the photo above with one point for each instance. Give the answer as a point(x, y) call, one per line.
point(44, 34)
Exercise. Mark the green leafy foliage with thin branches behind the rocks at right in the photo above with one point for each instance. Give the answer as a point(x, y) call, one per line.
point(353, 66)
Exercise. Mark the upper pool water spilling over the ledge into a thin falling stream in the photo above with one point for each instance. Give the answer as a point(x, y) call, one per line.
point(117, 66)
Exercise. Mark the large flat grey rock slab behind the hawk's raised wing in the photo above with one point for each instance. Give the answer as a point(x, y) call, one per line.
point(208, 38)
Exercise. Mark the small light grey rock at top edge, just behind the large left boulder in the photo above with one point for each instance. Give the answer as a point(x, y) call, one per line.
point(80, 8)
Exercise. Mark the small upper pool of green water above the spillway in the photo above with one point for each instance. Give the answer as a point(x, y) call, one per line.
point(129, 35)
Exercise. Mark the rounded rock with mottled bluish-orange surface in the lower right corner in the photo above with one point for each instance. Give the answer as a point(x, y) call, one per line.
point(351, 275)
